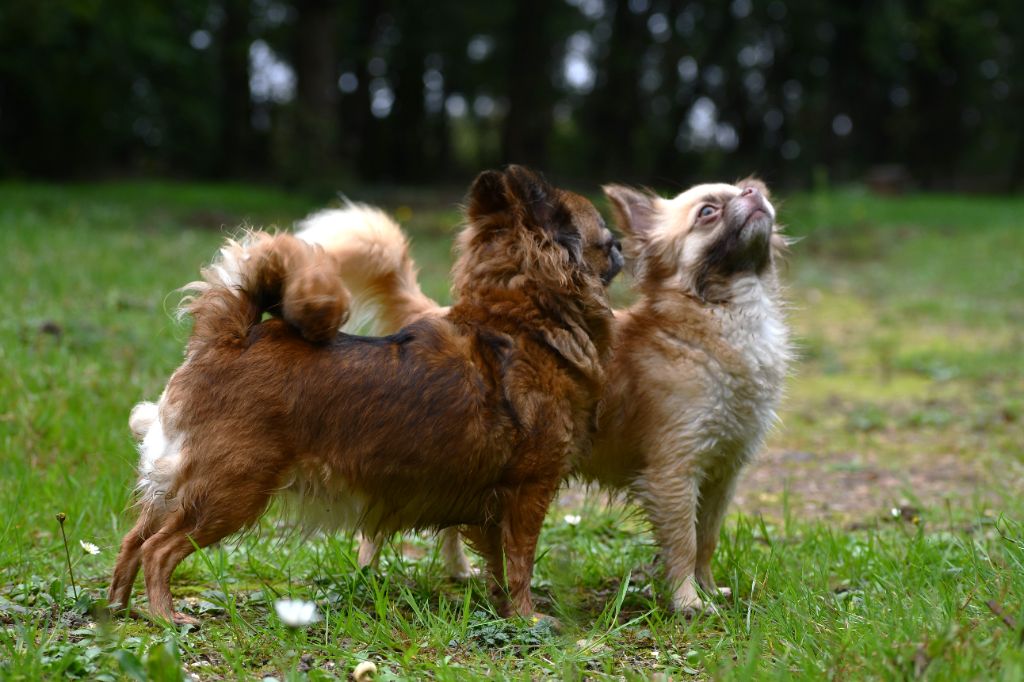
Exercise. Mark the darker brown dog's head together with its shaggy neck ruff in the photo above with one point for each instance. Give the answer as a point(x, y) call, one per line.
point(542, 258)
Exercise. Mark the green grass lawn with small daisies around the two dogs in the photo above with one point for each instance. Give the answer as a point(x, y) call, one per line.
point(880, 536)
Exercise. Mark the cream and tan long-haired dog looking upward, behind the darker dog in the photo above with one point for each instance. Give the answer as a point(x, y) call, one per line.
point(698, 364)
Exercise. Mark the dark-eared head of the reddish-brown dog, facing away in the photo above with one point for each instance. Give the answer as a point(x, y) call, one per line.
point(523, 230)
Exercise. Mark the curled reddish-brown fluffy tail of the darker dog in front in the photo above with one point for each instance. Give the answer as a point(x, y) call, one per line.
point(277, 275)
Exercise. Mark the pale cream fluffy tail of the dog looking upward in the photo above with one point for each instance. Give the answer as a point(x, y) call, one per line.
point(371, 255)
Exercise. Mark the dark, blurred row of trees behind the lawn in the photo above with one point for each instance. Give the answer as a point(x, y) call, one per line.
point(897, 93)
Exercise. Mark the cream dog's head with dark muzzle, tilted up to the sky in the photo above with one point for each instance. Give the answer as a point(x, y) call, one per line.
point(703, 240)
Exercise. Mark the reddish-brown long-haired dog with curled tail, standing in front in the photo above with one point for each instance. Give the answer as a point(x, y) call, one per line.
point(471, 419)
